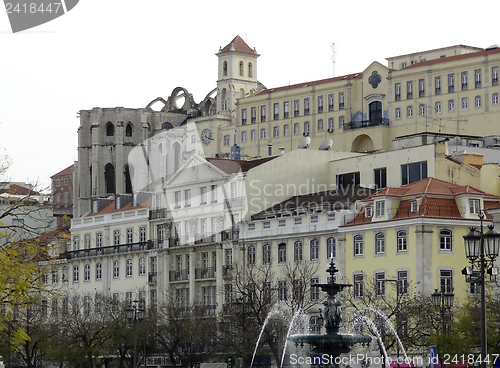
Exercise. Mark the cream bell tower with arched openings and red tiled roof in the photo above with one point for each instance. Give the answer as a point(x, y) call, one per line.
point(237, 75)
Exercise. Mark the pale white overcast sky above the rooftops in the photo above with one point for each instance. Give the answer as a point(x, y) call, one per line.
point(107, 53)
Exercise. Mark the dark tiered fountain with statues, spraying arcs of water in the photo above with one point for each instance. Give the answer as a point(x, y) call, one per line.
point(332, 343)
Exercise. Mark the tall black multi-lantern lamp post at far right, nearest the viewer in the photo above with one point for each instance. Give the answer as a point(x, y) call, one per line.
point(481, 249)
